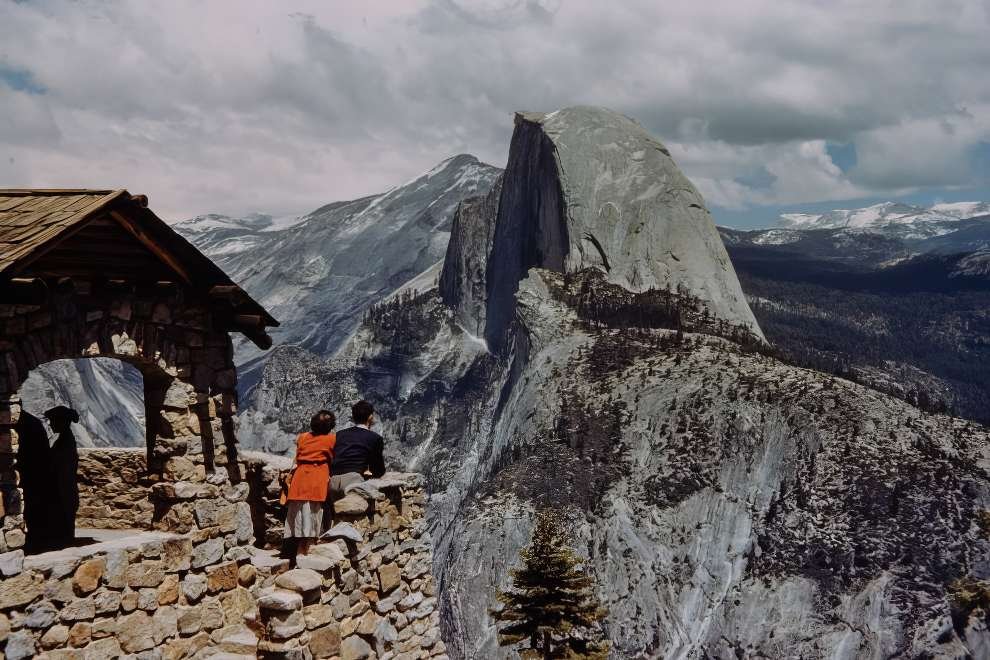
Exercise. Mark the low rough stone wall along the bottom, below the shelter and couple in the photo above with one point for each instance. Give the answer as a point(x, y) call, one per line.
point(367, 592)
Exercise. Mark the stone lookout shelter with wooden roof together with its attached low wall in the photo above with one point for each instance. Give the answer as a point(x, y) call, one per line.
point(186, 568)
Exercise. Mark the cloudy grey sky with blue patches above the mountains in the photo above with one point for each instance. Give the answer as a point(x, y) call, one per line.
point(280, 107)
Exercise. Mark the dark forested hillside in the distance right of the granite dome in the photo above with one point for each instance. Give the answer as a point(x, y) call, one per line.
point(919, 330)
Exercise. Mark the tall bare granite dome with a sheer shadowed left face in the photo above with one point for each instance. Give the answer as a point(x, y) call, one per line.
point(587, 187)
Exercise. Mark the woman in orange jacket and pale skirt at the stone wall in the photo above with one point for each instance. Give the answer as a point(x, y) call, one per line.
point(308, 488)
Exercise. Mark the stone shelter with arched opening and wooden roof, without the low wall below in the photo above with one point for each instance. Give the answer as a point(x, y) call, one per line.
point(87, 273)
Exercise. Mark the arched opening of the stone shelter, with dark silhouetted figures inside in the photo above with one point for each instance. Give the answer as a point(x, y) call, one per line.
point(85, 480)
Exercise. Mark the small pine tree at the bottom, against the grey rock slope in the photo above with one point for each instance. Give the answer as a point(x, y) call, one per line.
point(552, 603)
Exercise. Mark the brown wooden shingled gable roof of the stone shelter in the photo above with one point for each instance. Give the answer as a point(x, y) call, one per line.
point(37, 226)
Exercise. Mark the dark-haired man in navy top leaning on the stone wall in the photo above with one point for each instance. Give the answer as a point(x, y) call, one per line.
point(358, 449)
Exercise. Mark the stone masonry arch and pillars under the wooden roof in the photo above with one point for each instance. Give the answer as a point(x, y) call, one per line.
point(173, 339)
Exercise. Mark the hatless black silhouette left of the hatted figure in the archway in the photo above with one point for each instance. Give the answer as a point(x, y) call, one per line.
point(34, 466)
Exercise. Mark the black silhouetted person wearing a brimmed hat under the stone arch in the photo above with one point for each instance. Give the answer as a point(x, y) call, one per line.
point(65, 463)
